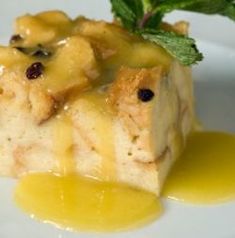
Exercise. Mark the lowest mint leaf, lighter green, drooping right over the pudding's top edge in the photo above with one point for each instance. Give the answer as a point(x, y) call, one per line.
point(181, 47)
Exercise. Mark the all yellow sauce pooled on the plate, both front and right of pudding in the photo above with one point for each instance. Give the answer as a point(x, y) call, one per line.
point(204, 174)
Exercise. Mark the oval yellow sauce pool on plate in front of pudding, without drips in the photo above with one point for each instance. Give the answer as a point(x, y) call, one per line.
point(77, 203)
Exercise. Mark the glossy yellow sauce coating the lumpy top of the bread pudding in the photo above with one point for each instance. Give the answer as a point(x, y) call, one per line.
point(81, 52)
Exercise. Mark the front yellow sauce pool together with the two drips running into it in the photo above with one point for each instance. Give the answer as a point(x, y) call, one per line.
point(78, 203)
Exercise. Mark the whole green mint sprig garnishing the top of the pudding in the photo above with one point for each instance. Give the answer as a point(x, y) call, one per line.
point(144, 17)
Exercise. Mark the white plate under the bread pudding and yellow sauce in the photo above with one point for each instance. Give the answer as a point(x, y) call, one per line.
point(215, 93)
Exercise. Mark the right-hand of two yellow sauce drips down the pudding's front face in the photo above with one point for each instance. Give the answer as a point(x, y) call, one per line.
point(103, 128)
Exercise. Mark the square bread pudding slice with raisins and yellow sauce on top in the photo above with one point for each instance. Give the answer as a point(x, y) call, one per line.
point(88, 97)
